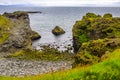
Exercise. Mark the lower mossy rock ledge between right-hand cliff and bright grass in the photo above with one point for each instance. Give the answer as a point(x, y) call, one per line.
point(91, 52)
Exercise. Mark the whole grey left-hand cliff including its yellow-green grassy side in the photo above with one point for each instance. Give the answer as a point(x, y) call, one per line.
point(15, 32)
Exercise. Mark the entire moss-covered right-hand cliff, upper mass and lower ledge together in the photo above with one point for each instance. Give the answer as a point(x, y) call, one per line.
point(94, 36)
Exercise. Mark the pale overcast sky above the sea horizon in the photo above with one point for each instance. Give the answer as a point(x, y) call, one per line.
point(62, 2)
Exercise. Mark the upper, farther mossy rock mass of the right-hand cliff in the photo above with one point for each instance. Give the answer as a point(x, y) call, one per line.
point(93, 27)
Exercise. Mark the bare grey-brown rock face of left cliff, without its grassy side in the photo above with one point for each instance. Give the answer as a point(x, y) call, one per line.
point(20, 35)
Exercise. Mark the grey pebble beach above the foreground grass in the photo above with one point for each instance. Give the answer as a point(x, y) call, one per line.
point(16, 67)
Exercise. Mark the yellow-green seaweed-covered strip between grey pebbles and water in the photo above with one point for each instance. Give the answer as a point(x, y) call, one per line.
point(46, 54)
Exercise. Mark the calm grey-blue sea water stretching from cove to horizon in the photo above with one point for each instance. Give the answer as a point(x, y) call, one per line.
point(64, 17)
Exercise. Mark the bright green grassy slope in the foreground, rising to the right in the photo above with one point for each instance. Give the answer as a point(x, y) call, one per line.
point(109, 69)
